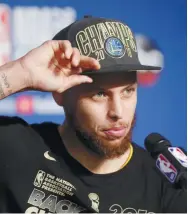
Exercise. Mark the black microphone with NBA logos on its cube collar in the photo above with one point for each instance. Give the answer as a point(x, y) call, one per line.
point(170, 161)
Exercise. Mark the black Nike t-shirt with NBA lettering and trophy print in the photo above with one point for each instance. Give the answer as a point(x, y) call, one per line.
point(37, 175)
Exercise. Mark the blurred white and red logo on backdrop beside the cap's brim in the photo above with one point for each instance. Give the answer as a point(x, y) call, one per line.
point(149, 54)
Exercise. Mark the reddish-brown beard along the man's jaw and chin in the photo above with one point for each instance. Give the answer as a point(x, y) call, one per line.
point(101, 147)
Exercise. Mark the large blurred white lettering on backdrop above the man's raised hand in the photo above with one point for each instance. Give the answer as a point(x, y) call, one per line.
point(31, 26)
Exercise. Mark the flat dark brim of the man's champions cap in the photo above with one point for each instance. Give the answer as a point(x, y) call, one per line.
point(124, 68)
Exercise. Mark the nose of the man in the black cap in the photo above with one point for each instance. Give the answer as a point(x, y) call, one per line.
point(115, 108)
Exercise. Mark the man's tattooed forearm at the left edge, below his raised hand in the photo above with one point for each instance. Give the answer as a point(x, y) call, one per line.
point(13, 78)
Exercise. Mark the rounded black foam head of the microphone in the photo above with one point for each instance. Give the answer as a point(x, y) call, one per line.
point(155, 143)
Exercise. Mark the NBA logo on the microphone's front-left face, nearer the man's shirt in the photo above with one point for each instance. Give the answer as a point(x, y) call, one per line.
point(166, 168)
